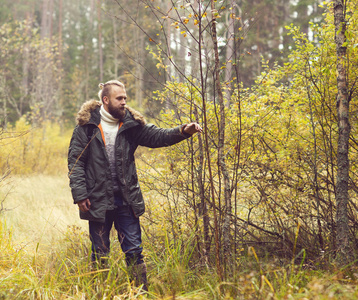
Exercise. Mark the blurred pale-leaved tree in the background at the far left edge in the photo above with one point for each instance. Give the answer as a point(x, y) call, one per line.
point(22, 54)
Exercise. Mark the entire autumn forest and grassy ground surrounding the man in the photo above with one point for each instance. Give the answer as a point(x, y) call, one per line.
point(262, 204)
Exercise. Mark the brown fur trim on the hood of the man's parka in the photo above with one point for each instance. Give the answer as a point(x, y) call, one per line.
point(84, 114)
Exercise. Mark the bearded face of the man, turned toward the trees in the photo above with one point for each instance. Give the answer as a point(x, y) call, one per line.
point(116, 102)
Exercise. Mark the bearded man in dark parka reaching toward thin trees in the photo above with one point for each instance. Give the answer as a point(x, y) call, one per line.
point(102, 172)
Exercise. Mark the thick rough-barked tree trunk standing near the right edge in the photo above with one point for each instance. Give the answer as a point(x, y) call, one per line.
point(344, 253)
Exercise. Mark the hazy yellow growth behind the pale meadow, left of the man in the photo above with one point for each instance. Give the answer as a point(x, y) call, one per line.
point(27, 150)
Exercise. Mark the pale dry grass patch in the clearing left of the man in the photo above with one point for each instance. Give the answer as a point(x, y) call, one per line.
point(39, 208)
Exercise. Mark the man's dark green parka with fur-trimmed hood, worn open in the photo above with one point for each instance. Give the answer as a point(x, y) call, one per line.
point(89, 172)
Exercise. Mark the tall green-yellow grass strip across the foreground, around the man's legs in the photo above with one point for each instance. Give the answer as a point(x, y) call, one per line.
point(65, 272)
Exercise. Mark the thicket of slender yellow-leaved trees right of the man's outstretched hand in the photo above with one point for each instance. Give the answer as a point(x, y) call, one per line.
point(281, 158)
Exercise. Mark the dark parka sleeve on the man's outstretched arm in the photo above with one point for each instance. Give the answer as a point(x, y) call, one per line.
point(155, 137)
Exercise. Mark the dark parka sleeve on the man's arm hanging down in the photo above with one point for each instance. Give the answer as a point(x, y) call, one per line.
point(77, 157)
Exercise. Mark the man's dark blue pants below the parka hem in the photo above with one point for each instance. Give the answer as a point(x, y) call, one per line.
point(129, 235)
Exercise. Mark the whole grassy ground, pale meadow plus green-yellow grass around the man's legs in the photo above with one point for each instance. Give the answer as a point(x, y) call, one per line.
point(44, 254)
